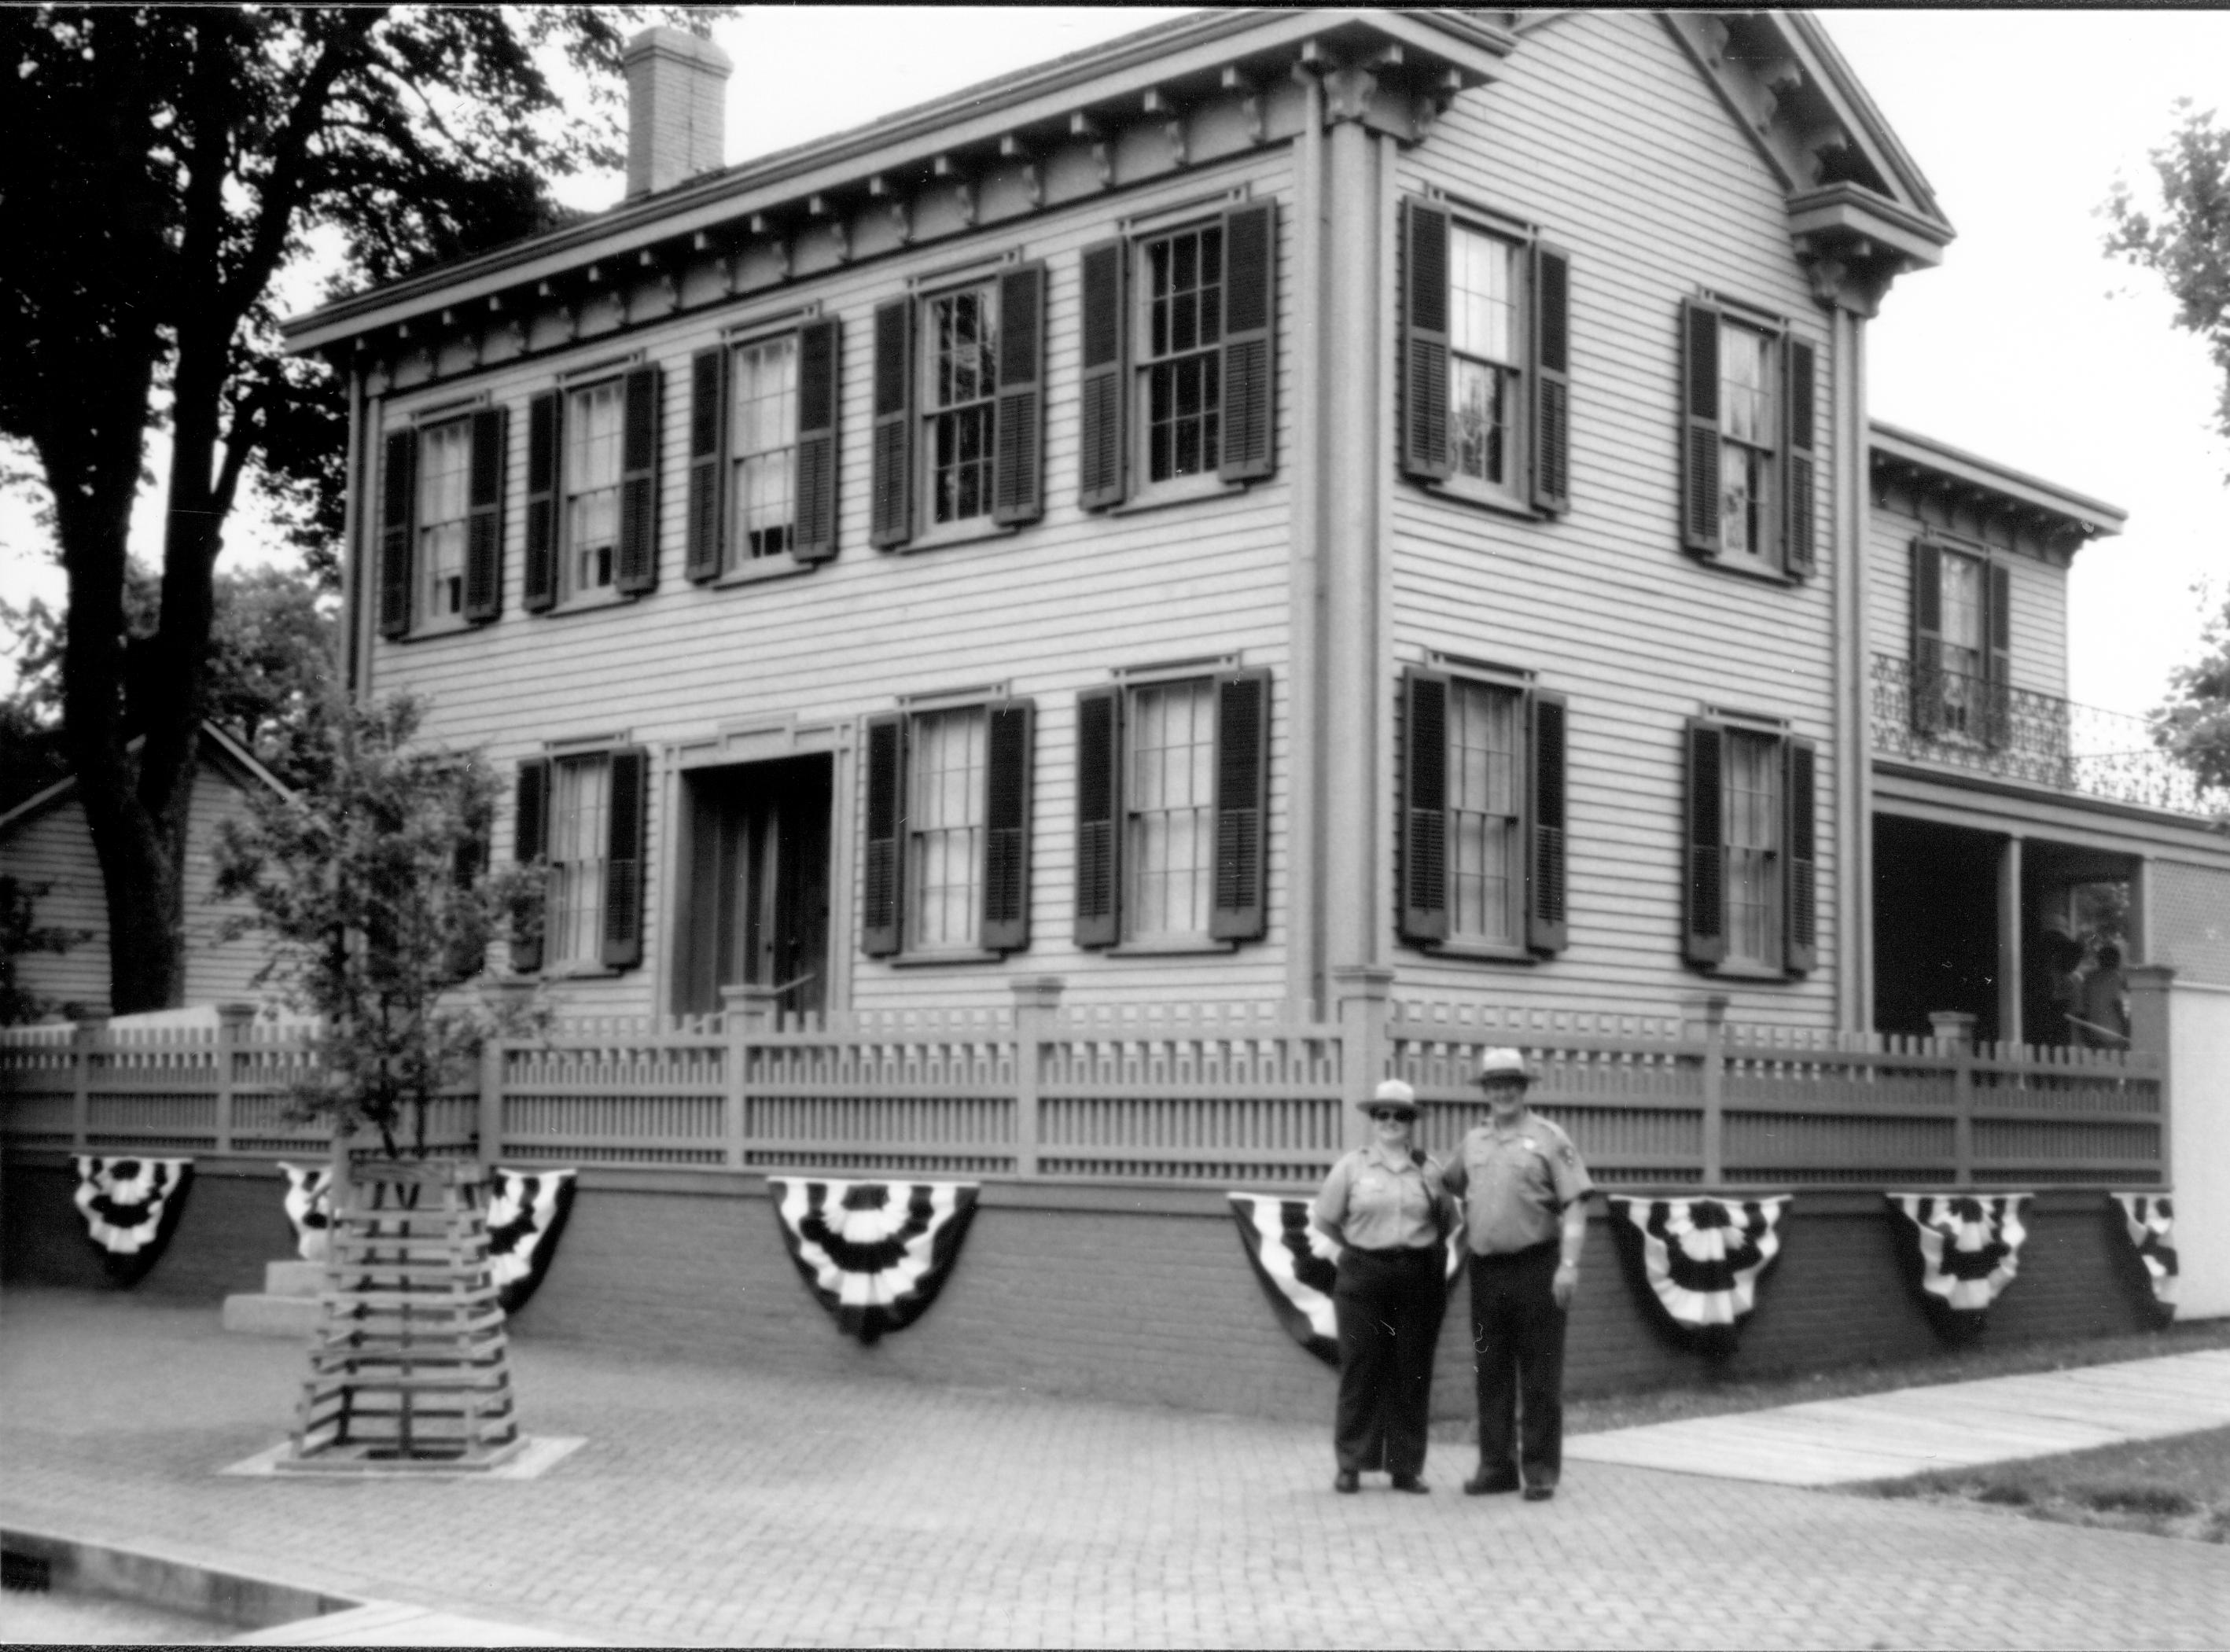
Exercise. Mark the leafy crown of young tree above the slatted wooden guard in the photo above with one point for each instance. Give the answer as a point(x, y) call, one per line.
point(380, 902)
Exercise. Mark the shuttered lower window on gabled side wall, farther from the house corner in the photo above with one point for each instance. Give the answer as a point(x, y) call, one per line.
point(1752, 851)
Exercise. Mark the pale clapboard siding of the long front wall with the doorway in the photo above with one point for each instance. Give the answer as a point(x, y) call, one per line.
point(1049, 610)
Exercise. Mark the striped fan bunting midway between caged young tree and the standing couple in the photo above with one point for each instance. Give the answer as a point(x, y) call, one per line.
point(875, 1254)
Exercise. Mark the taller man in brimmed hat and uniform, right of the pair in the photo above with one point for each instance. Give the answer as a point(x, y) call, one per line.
point(1526, 1218)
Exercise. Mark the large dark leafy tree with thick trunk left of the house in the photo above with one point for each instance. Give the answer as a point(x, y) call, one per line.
point(164, 175)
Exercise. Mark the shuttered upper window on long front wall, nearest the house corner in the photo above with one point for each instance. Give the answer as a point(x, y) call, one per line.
point(1179, 356)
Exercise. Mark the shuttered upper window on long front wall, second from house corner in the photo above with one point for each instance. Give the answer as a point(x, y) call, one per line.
point(960, 409)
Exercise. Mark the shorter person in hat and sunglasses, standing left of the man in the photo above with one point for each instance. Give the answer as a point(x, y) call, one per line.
point(1386, 1207)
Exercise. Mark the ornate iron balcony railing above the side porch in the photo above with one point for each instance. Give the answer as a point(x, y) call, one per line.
point(2017, 735)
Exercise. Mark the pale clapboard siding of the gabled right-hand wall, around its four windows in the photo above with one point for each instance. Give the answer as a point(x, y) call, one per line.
point(1607, 137)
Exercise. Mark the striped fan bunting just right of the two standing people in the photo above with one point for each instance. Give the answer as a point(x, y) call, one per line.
point(1700, 1259)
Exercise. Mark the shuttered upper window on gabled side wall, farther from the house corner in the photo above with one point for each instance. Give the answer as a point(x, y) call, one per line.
point(1749, 496)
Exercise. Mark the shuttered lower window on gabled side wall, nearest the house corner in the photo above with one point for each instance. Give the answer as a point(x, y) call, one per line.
point(1484, 815)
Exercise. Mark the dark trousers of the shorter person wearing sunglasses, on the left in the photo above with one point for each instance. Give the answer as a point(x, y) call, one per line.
point(1388, 1305)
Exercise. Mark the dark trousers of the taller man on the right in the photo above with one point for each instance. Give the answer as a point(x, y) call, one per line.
point(1518, 1339)
